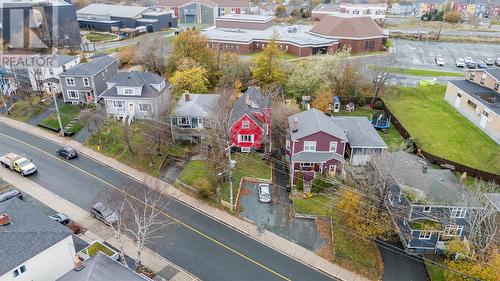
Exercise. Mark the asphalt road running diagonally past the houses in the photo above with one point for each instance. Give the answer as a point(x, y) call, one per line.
point(201, 245)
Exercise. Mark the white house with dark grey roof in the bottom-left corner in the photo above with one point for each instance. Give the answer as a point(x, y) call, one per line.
point(33, 247)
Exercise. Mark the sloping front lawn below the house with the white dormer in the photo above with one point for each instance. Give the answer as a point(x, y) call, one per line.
point(110, 142)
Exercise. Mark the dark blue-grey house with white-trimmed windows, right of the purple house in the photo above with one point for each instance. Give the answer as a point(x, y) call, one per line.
point(428, 205)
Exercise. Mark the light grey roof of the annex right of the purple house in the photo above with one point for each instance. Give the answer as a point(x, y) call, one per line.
point(360, 132)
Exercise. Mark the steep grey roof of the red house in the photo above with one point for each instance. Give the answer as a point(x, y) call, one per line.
point(258, 102)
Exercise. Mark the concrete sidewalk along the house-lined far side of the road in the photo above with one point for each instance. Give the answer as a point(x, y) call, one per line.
point(270, 239)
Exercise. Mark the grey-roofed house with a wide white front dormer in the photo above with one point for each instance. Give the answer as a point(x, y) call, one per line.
point(140, 95)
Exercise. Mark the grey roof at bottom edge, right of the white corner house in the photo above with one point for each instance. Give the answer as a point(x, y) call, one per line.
point(102, 268)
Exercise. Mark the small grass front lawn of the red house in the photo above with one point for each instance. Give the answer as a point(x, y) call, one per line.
point(247, 164)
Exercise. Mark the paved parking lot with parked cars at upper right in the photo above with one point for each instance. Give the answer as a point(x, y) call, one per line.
point(420, 54)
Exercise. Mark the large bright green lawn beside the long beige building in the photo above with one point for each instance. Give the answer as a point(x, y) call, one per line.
point(440, 129)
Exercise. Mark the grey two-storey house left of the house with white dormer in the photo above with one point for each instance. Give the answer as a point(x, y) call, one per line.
point(84, 83)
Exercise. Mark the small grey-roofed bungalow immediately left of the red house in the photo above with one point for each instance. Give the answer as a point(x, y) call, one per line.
point(190, 119)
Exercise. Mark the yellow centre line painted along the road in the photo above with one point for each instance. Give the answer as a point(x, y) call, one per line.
point(161, 211)
